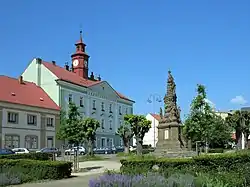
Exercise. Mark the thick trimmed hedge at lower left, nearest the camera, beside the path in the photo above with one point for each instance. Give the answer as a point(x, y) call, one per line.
point(31, 170)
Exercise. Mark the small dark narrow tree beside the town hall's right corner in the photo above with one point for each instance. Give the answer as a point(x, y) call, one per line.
point(125, 132)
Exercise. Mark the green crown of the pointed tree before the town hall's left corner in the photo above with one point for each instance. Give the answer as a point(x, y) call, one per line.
point(69, 126)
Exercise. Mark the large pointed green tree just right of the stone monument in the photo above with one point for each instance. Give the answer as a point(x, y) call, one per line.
point(202, 124)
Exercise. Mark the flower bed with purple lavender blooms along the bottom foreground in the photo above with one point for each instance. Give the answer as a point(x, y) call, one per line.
point(154, 180)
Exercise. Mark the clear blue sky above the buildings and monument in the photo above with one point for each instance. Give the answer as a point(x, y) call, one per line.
point(133, 44)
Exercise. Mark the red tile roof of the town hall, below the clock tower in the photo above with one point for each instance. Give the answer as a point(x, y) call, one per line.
point(71, 77)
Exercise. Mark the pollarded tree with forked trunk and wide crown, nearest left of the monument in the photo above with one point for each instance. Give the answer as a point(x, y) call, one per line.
point(139, 126)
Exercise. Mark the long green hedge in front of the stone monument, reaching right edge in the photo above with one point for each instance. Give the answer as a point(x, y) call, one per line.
point(229, 167)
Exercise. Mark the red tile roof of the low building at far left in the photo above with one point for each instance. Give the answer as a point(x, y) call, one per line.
point(25, 93)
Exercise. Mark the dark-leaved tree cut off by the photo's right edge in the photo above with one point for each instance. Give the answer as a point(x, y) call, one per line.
point(239, 121)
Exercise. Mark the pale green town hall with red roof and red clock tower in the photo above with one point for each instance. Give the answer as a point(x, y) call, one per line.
point(94, 97)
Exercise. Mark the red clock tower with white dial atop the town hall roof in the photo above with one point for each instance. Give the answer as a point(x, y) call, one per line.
point(80, 59)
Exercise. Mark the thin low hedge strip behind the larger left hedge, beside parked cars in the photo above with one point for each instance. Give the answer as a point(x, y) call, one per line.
point(31, 156)
